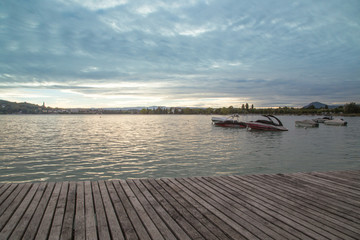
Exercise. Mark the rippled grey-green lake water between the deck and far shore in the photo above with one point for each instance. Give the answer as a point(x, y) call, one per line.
point(93, 147)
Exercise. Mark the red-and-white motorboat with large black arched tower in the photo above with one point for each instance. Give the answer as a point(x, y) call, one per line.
point(267, 125)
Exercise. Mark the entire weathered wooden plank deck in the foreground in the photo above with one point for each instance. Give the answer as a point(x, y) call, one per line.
point(282, 206)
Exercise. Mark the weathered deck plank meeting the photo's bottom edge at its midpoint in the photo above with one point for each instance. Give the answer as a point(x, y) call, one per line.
point(175, 228)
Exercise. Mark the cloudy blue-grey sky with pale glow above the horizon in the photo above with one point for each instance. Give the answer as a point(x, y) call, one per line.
point(197, 53)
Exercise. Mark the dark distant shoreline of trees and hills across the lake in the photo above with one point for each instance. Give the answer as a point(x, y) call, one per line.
point(28, 108)
